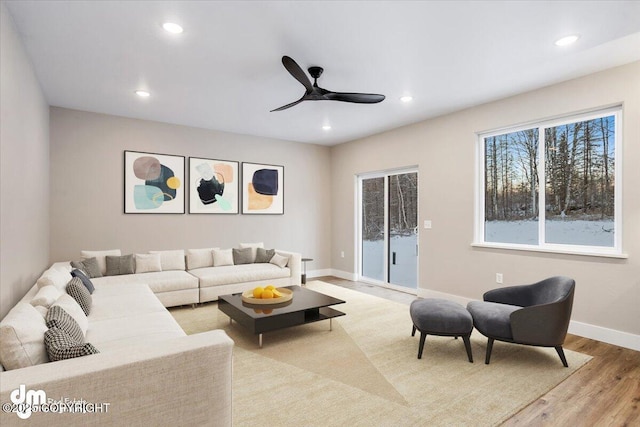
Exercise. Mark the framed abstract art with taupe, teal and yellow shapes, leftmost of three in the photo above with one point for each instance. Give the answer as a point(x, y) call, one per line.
point(153, 183)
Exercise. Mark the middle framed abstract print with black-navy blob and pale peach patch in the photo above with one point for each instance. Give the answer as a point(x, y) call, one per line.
point(213, 186)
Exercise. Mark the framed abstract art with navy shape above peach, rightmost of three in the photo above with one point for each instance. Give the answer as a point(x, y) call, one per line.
point(262, 189)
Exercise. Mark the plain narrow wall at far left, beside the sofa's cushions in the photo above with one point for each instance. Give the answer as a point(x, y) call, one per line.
point(24, 182)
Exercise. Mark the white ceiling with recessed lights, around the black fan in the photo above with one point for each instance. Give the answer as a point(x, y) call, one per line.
point(225, 72)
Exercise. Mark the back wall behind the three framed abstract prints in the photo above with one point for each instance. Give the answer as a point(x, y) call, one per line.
point(87, 189)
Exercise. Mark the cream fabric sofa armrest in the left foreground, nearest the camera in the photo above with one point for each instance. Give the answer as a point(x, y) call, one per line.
point(171, 382)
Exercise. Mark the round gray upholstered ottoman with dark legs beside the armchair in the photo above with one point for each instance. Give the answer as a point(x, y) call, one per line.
point(435, 316)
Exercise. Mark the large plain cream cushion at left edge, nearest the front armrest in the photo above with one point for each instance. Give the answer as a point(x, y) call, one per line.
point(21, 333)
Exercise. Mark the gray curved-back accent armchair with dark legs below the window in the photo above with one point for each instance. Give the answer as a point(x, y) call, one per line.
point(536, 314)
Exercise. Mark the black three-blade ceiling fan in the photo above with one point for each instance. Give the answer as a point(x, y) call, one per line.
point(316, 93)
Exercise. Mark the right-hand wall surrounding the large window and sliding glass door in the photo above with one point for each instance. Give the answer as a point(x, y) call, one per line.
point(608, 290)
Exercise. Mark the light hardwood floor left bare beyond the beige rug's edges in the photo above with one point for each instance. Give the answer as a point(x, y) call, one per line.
point(604, 392)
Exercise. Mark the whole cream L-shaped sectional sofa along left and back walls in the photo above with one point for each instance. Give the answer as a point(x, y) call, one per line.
point(147, 371)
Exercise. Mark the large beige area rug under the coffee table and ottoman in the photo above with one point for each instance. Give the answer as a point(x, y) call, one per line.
point(366, 372)
